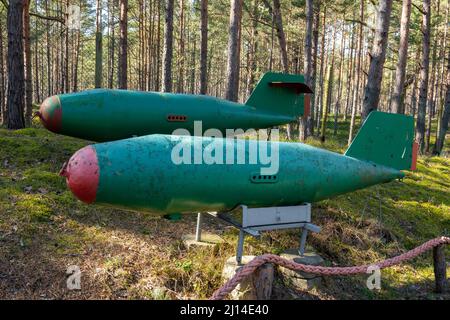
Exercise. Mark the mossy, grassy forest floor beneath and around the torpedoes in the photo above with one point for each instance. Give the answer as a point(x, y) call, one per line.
point(129, 255)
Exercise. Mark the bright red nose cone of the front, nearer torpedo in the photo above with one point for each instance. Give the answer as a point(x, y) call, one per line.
point(82, 174)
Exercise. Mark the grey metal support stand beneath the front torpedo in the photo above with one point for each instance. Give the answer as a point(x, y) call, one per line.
point(255, 220)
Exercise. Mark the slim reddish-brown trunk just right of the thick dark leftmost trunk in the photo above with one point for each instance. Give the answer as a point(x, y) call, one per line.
point(27, 62)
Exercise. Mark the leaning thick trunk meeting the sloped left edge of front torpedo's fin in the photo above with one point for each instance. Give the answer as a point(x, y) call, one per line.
point(378, 56)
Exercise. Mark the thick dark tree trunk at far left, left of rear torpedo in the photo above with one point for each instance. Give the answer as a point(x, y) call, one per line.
point(16, 90)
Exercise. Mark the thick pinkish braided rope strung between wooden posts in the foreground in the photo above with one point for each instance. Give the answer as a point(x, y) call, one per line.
point(250, 267)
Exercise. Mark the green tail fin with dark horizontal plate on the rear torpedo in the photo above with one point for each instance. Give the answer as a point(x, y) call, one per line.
point(282, 93)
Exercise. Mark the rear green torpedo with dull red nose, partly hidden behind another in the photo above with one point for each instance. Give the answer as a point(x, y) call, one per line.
point(107, 115)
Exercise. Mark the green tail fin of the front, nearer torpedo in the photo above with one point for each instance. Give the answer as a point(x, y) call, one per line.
point(386, 139)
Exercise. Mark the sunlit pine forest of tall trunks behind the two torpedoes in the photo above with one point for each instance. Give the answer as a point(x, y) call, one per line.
point(186, 46)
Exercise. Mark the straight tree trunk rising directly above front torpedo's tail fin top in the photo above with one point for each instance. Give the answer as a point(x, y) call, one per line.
point(398, 98)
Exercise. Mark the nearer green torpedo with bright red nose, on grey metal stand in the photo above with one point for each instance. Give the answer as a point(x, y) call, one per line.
point(184, 174)
